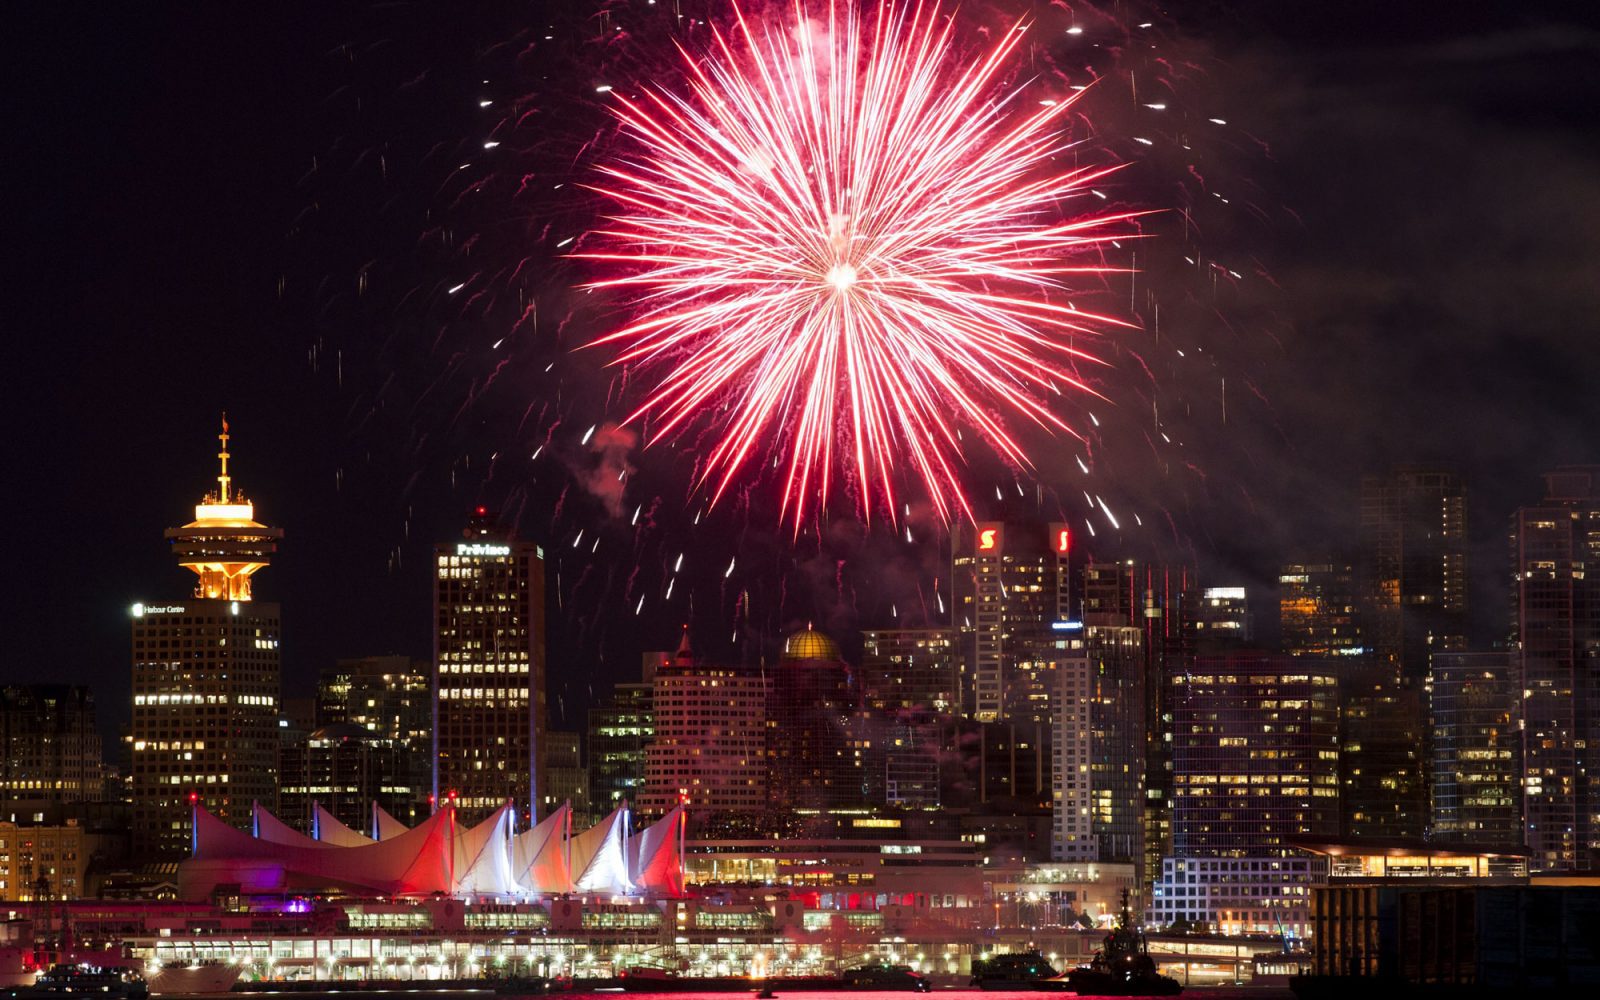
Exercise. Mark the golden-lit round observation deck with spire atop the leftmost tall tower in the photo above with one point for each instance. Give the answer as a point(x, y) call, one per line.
point(225, 545)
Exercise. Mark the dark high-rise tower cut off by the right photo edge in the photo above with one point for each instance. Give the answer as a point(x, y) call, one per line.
point(1556, 567)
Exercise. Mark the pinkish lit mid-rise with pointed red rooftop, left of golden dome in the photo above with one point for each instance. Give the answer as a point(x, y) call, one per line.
point(710, 751)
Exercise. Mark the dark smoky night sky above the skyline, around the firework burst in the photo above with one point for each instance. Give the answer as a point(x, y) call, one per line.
point(263, 209)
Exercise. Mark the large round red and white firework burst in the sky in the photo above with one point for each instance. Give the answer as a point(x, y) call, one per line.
point(847, 242)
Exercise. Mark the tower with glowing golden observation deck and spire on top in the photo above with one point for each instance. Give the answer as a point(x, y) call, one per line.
point(206, 681)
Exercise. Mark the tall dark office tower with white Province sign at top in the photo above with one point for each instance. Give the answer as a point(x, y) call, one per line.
point(489, 681)
